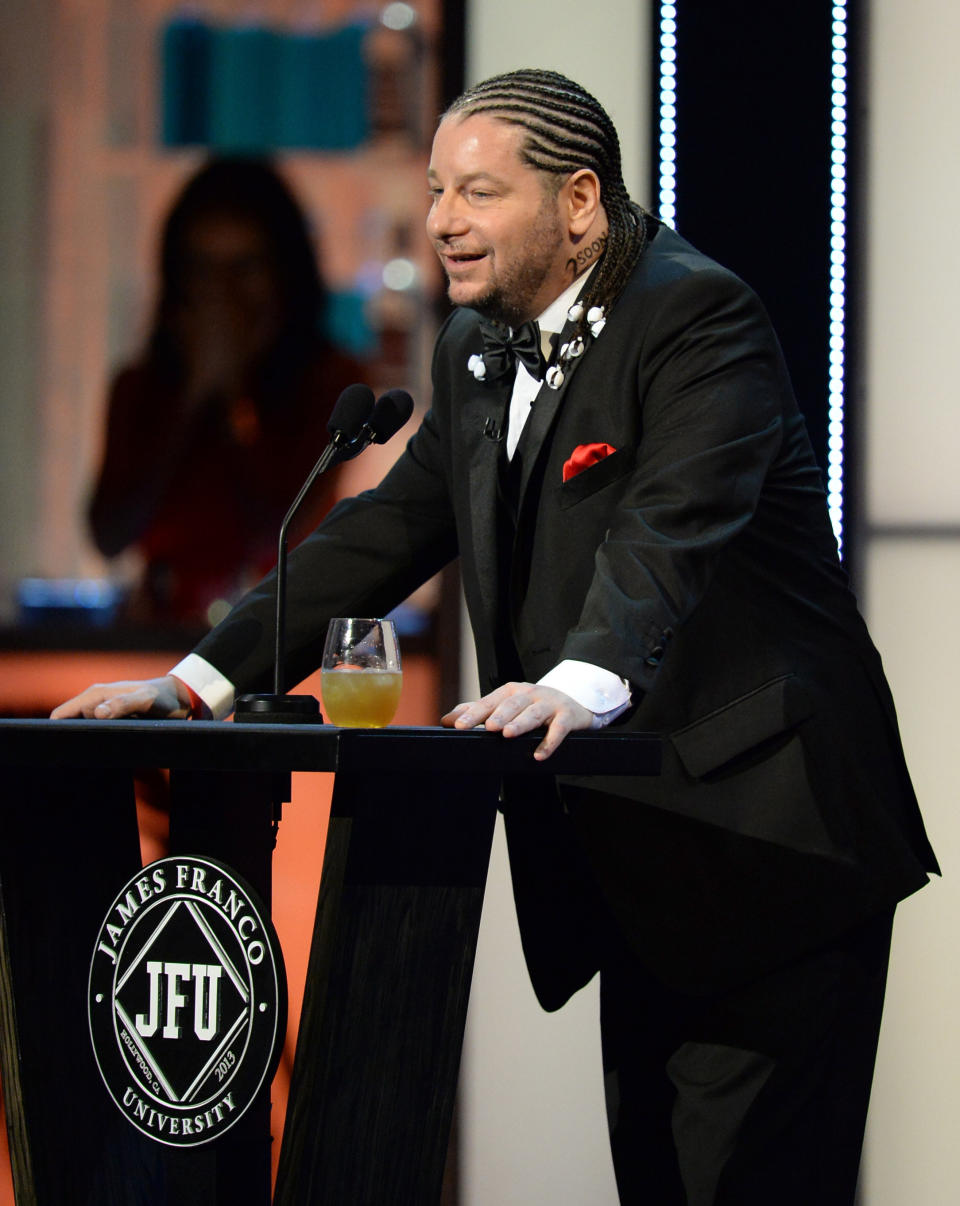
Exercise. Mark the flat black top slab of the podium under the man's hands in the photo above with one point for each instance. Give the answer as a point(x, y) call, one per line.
point(218, 746)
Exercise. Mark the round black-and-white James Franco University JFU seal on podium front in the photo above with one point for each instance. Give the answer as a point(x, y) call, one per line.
point(188, 1000)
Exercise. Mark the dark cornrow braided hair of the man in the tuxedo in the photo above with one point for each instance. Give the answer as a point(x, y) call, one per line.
point(566, 130)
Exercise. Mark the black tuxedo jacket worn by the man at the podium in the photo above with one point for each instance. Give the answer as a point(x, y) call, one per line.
point(696, 561)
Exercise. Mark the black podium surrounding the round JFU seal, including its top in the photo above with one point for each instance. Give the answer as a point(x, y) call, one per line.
point(395, 936)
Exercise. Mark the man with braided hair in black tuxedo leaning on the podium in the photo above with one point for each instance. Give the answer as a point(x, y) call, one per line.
point(616, 455)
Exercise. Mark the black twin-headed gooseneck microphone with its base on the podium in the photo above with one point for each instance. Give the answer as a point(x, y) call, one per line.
point(355, 424)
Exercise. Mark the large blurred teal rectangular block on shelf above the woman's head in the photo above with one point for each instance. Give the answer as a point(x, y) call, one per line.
point(254, 89)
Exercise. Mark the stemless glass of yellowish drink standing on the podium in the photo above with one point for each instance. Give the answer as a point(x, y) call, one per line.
point(361, 674)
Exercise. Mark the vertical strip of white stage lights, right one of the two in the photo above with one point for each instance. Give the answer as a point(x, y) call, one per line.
point(838, 271)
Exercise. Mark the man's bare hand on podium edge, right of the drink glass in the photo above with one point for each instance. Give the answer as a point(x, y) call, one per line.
point(519, 709)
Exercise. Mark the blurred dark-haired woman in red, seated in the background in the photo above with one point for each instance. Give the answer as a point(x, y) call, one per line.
point(214, 429)
